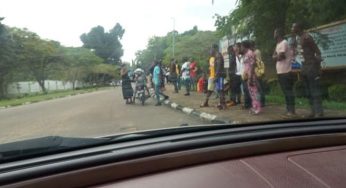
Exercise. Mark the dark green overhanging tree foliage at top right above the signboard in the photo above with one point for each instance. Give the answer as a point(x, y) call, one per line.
point(257, 19)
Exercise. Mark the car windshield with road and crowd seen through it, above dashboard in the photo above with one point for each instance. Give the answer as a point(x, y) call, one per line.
point(91, 69)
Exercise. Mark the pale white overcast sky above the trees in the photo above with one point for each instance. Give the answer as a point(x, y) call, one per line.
point(66, 20)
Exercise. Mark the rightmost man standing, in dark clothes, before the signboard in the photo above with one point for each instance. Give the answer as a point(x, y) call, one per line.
point(311, 68)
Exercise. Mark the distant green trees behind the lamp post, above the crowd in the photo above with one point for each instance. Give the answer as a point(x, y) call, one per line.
point(191, 43)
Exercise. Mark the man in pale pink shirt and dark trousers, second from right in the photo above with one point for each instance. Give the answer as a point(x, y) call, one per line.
point(283, 58)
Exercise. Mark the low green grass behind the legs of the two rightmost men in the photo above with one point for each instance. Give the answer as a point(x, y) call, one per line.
point(303, 103)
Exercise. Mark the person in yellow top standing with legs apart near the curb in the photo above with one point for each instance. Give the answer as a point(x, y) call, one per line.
point(216, 76)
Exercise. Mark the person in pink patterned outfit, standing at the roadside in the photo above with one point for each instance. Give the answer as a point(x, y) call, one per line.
point(250, 77)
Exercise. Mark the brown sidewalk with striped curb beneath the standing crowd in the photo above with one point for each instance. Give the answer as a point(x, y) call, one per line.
point(234, 114)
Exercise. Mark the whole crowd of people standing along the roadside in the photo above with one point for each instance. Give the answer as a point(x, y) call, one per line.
point(243, 80)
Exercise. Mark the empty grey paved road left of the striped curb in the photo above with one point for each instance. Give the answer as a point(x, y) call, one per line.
point(92, 114)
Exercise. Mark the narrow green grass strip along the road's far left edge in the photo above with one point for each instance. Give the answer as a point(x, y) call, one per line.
point(32, 98)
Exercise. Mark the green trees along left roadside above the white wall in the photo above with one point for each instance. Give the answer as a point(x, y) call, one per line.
point(25, 56)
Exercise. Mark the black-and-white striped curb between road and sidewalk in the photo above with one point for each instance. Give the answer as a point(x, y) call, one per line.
point(195, 113)
